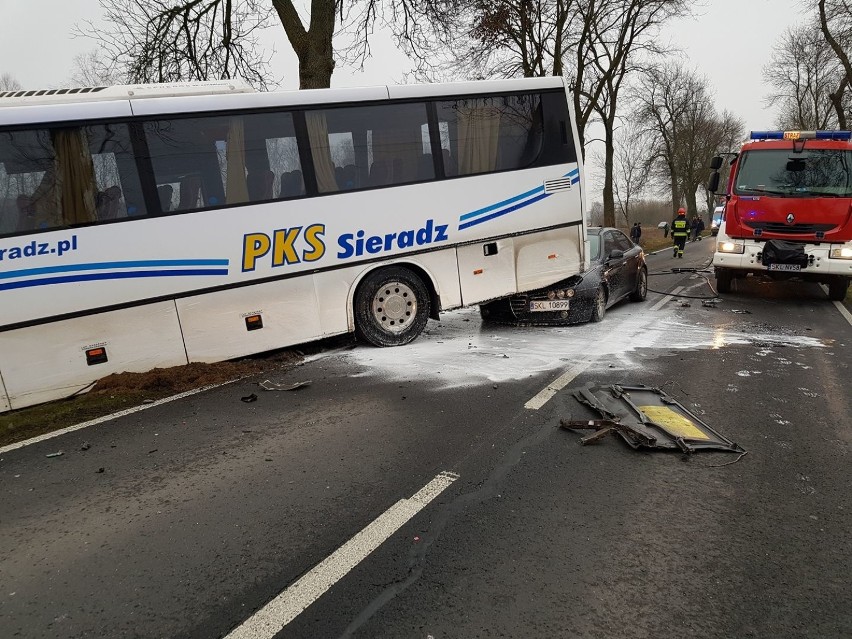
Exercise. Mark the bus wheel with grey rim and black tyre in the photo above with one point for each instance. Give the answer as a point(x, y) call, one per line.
point(391, 307)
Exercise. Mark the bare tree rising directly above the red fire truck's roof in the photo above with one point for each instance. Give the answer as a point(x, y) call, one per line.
point(803, 73)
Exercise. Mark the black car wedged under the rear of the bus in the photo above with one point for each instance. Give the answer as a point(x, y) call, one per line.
point(617, 271)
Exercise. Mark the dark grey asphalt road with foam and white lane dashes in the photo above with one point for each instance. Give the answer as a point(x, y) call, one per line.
point(209, 508)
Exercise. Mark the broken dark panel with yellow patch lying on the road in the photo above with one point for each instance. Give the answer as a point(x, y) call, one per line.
point(646, 417)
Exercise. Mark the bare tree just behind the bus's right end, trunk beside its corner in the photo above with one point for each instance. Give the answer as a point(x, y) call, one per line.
point(595, 43)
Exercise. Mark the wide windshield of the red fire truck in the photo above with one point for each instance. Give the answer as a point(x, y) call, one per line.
point(815, 172)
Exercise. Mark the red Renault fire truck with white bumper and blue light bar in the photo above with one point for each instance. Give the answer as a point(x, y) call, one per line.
point(788, 209)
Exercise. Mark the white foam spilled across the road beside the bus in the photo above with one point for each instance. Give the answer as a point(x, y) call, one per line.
point(462, 351)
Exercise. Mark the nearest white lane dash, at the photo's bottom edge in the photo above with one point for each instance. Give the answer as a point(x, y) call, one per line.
point(269, 620)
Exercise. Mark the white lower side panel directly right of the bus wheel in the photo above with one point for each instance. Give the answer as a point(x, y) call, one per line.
point(486, 271)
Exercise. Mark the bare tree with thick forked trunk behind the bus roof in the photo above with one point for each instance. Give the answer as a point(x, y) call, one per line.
point(165, 40)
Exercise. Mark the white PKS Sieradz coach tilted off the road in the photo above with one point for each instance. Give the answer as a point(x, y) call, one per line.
point(154, 226)
